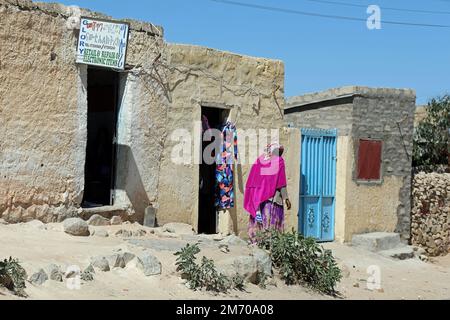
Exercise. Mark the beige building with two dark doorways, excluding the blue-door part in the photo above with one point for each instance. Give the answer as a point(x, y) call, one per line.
point(58, 120)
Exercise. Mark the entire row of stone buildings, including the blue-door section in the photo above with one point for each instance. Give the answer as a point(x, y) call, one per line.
point(78, 140)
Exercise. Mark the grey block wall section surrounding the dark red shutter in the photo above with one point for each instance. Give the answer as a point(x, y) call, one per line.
point(388, 115)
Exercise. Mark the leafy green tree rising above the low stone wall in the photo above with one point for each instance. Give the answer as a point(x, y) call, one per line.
point(431, 136)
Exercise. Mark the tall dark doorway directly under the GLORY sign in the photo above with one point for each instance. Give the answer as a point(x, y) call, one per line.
point(101, 127)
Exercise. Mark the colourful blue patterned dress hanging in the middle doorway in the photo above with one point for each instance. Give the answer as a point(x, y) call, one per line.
point(224, 167)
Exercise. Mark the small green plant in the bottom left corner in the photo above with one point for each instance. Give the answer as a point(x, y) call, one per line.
point(13, 276)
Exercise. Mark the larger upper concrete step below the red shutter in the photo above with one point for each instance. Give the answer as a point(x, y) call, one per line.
point(377, 241)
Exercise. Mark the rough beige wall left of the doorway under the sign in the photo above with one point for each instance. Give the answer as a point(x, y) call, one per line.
point(41, 137)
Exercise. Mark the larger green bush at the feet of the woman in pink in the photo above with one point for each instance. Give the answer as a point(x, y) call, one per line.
point(301, 260)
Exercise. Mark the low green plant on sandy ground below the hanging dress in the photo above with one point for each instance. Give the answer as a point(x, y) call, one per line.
point(204, 275)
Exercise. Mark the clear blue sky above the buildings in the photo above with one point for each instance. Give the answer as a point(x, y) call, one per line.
point(319, 53)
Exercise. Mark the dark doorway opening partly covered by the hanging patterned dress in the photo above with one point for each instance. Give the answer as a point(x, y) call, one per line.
point(207, 211)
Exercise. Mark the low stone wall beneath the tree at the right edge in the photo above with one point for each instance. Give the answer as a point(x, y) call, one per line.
point(430, 226)
